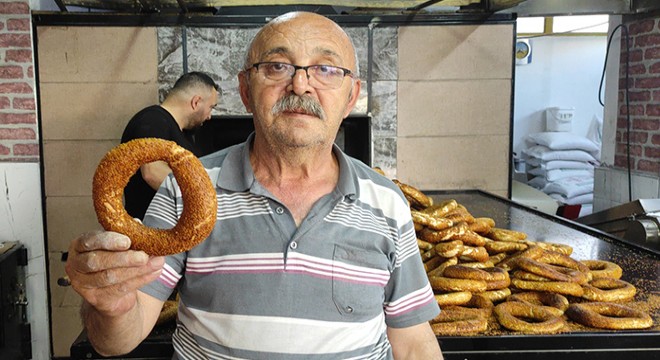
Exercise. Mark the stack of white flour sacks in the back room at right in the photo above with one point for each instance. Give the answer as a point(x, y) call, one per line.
point(561, 164)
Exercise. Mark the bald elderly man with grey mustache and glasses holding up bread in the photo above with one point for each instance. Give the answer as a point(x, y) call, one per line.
point(313, 254)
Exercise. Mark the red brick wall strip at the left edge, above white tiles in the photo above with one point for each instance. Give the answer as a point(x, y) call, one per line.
point(18, 116)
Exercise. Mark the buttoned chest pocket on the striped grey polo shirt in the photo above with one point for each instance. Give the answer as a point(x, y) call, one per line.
point(359, 278)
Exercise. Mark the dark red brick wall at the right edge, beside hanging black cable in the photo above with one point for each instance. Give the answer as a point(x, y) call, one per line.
point(644, 96)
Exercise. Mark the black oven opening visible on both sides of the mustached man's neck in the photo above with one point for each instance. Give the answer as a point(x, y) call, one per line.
point(354, 136)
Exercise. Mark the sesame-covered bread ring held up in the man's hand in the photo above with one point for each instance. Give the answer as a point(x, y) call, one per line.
point(199, 198)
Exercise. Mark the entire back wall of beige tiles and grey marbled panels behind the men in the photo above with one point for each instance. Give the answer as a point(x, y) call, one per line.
point(440, 102)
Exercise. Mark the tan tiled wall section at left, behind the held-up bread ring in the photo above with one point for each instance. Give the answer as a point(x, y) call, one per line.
point(91, 81)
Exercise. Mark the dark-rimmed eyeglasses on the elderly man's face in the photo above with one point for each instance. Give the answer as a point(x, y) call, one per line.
point(321, 77)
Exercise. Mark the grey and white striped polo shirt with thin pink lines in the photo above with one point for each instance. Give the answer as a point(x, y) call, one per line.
point(260, 287)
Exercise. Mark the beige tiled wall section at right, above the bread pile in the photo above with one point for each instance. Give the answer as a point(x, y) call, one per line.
point(454, 98)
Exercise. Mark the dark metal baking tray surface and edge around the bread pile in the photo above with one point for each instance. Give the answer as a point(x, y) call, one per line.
point(641, 267)
